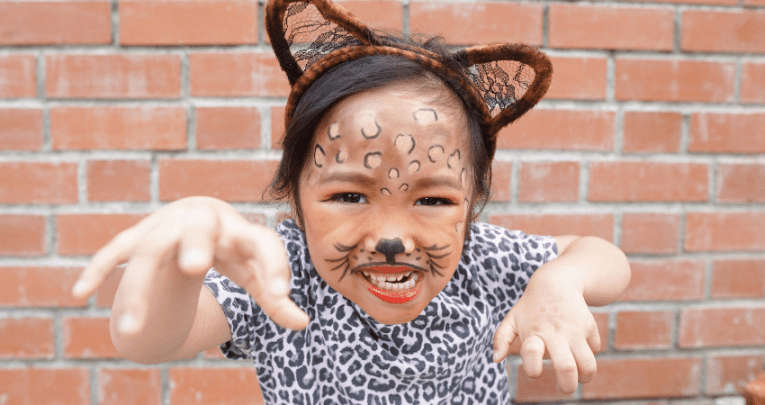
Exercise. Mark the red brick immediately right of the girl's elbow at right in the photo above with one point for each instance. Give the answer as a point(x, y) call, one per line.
point(666, 280)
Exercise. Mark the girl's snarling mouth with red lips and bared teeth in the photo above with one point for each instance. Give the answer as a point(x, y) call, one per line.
point(393, 284)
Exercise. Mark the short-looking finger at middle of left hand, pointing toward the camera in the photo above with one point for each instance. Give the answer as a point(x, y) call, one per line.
point(196, 249)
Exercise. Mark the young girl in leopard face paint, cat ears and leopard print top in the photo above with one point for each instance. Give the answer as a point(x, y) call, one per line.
point(383, 290)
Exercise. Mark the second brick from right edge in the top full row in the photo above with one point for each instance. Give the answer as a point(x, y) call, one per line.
point(577, 26)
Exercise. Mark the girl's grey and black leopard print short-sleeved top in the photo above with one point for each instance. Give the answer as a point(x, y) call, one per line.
point(346, 357)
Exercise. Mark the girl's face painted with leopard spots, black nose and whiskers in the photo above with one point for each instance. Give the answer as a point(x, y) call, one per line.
point(385, 198)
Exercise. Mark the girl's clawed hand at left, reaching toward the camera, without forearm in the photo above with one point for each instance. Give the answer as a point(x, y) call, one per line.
point(187, 238)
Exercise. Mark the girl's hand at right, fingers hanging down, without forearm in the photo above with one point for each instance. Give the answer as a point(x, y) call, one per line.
point(552, 317)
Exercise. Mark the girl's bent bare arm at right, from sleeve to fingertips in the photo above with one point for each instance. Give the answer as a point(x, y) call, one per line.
point(552, 316)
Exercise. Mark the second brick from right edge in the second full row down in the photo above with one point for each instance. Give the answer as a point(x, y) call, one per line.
point(674, 80)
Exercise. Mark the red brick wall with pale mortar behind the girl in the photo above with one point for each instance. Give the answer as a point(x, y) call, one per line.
point(652, 136)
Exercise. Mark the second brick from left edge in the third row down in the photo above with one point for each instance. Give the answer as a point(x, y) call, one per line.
point(81, 128)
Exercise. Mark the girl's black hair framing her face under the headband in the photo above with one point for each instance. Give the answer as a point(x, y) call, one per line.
point(364, 74)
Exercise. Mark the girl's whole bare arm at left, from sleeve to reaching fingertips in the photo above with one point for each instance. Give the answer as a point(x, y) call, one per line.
point(161, 311)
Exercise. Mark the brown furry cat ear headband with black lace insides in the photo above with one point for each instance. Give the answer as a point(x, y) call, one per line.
point(500, 81)
